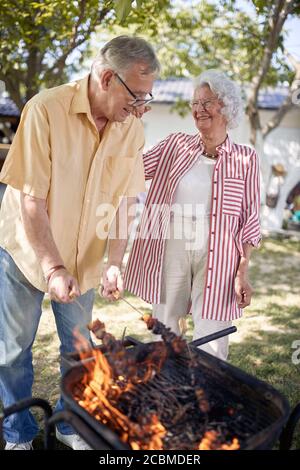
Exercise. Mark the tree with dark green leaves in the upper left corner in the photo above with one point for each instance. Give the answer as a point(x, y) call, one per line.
point(42, 41)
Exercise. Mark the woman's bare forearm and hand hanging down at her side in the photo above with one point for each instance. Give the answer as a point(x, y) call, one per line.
point(243, 288)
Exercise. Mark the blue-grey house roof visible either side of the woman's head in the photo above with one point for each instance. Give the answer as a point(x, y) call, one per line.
point(168, 91)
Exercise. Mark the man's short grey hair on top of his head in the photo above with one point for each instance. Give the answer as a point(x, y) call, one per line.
point(122, 52)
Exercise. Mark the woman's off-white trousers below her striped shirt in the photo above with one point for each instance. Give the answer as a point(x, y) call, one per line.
point(183, 278)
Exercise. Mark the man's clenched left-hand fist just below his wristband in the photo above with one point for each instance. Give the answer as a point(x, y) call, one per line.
point(63, 287)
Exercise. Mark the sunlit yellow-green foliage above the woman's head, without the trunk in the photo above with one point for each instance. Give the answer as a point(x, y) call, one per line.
point(192, 36)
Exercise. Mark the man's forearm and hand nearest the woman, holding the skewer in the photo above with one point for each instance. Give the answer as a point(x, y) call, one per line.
point(111, 278)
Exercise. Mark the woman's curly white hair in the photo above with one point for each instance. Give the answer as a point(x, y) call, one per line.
point(227, 91)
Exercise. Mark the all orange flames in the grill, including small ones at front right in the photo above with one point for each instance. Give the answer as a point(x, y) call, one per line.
point(105, 382)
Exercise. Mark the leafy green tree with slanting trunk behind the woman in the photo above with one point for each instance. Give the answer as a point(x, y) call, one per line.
point(249, 46)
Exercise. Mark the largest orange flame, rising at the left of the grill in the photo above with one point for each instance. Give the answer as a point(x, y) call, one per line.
point(101, 390)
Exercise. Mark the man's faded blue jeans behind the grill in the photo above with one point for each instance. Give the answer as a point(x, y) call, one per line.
point(20, 312)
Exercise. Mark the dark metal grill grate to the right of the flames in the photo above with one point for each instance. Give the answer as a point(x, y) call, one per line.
point(250, 418)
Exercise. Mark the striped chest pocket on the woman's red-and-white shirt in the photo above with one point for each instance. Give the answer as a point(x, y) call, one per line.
point(232, 196)
